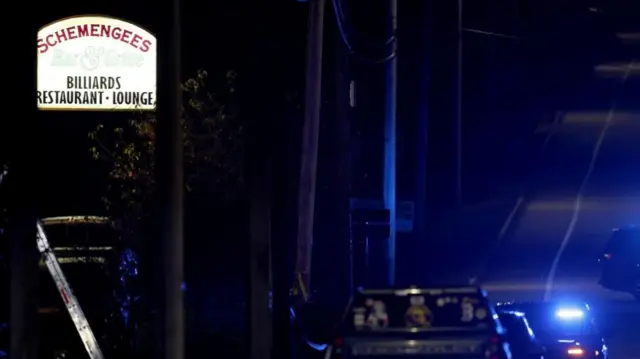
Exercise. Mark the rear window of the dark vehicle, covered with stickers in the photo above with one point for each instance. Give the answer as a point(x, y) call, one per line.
point(435, 310)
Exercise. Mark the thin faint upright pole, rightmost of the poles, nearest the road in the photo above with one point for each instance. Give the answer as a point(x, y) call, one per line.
point(458, 110)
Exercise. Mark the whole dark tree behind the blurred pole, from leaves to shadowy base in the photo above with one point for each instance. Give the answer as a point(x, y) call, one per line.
point(213, 150)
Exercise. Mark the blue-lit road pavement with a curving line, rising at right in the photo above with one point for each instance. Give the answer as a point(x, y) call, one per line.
point(588, 184)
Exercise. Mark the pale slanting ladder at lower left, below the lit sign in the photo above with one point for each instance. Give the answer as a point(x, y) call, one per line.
point(69, 299)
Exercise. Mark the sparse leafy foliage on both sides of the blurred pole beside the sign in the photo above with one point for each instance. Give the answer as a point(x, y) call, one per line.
point(213, 151)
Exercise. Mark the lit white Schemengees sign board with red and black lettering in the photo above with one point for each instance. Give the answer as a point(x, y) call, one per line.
point(96, 63)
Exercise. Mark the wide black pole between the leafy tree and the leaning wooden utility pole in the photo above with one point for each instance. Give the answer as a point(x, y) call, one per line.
point(267, 328)
